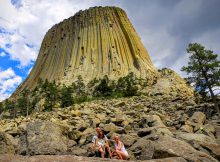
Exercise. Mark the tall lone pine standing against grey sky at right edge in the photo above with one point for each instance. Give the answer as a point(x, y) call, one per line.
point(203, 70)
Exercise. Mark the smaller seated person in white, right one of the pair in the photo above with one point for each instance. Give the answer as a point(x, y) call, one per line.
point(120, 151)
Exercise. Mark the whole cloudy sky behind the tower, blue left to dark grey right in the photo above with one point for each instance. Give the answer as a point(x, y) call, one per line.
point(166, 27)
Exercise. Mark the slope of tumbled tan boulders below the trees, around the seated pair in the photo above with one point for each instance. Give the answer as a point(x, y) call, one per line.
point(155, 127)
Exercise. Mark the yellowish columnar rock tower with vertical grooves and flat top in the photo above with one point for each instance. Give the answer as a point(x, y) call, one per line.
point(92, 43)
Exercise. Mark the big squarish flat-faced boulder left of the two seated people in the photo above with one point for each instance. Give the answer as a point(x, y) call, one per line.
point(44, 137)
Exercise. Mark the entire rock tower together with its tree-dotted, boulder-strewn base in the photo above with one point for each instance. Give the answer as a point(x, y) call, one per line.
point(157, 117)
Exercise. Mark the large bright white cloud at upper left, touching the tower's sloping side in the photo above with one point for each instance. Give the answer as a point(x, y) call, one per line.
point(28, 23)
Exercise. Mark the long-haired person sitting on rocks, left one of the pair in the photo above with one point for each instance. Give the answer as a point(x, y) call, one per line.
point(100, 143)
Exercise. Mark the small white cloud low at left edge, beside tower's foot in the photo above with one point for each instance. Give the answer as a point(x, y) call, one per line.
point(8, 82)
